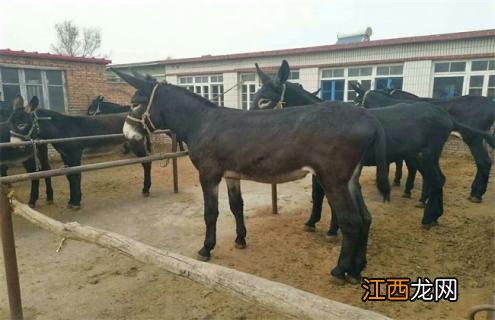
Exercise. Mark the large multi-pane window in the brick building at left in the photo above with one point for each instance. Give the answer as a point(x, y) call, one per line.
point(47, 85)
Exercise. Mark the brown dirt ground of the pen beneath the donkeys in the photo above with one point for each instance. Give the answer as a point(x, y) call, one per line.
point(87, 282)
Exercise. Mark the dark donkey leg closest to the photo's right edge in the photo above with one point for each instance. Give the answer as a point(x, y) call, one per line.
point(483, 166)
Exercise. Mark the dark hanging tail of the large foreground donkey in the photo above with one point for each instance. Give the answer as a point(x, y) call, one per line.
point(380, 150)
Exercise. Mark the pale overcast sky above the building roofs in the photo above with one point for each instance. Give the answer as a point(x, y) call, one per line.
point(146, 30)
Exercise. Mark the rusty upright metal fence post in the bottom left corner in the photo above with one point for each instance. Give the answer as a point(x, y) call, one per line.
point(9, 256)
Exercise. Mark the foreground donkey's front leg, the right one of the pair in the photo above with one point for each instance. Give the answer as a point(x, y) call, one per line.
point(237, 207)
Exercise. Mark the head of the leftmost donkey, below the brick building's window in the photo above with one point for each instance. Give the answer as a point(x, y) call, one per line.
point(23, 122)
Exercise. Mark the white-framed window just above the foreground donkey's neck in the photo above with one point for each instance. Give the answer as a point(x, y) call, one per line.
point(209, 87)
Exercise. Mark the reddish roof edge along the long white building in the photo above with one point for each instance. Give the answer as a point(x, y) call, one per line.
point(324, 48)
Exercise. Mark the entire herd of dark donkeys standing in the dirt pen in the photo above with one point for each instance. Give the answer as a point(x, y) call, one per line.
point(300, 134)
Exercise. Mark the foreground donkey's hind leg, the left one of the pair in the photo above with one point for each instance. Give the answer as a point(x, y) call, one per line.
point(351, 225)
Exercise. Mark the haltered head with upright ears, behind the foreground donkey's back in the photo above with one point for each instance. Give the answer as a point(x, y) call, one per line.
point(272, 92)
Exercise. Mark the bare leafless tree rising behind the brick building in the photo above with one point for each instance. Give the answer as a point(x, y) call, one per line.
point(74, 41)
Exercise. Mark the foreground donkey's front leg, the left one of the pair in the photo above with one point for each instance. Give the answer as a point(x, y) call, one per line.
point(210, 197)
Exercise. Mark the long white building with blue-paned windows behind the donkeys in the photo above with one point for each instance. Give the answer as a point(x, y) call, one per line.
point(441, 66)
